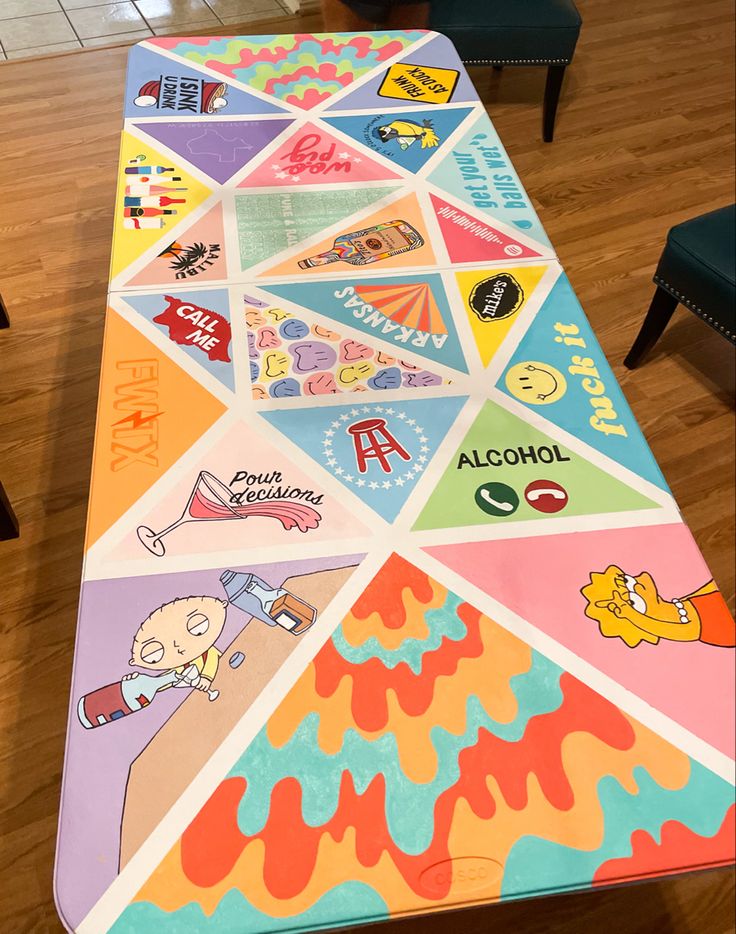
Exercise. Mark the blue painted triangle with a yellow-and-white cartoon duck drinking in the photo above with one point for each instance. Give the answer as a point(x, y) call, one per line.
point(409, 139)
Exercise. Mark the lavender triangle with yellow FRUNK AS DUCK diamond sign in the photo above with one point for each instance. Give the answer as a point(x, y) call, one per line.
point(431, 75)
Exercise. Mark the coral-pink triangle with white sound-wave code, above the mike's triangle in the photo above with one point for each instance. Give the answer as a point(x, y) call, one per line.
point(471, 240)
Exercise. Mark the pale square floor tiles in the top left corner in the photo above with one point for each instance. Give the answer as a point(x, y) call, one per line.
point(37, 27)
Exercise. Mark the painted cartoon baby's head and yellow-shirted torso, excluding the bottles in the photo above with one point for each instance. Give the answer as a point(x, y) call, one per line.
point(180, 637)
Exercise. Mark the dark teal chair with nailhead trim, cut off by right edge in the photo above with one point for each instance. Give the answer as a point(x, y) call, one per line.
point(697, 269)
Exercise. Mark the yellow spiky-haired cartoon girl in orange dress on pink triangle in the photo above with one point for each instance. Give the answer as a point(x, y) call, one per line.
point(630, 608)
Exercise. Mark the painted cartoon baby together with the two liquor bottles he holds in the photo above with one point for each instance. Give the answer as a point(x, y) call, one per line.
point(175, 645)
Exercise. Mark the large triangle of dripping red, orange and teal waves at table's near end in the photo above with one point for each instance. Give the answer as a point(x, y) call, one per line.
point(435, 733)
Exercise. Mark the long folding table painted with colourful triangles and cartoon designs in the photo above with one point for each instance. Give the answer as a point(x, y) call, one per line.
point(372, 530)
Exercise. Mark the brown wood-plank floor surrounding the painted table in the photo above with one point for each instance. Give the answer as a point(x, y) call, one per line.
point(644, 140)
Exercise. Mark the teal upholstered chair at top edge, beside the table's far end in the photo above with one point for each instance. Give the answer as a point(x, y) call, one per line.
point(514, 32)
